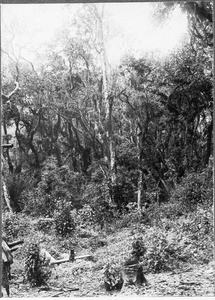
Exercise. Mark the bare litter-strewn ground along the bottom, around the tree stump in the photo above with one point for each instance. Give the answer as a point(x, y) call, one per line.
point(81, 279)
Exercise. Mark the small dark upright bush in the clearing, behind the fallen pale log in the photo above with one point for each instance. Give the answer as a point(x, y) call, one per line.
point(64, 222)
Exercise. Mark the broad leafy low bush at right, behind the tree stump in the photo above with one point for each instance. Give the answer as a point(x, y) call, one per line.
point(173, 243)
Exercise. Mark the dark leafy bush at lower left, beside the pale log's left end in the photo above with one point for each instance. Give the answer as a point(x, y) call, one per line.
point(37, 272)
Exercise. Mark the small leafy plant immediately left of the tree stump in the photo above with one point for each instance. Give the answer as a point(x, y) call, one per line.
point(113, 278)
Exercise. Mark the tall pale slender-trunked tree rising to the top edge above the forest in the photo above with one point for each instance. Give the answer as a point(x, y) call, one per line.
point(93, 19)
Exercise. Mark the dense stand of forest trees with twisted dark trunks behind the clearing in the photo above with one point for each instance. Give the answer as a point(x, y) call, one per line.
point(129, 134)
